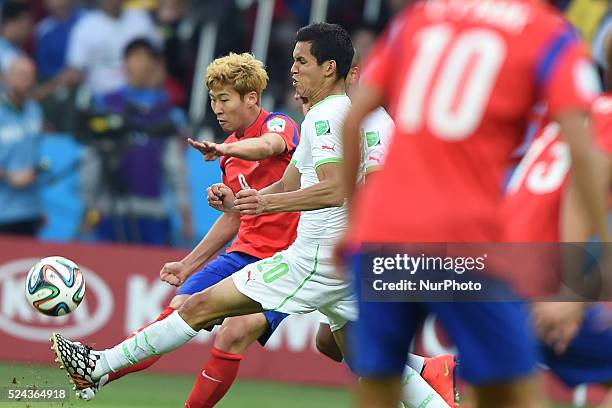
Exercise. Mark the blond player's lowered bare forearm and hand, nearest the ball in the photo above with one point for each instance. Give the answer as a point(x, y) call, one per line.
point(219, 235)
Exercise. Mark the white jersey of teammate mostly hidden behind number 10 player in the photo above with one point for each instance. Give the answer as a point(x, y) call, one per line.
point(376, 131)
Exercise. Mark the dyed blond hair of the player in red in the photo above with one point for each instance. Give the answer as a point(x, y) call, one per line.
point(243, 72)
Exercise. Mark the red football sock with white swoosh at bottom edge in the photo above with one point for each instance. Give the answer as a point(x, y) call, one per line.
point(215, 380)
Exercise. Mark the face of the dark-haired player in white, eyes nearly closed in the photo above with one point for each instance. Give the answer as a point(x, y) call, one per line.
point(307, 75)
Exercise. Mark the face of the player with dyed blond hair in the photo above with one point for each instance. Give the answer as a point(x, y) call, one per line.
point(230, 108)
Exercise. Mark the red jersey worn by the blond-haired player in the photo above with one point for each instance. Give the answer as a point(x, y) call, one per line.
point(262, 235)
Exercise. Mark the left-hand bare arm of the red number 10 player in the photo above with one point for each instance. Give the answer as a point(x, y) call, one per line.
point(366, 100)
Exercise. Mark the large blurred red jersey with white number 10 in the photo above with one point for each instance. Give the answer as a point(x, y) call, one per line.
point(460, 79)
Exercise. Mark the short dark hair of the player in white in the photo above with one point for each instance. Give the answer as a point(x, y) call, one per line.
point(329, 42)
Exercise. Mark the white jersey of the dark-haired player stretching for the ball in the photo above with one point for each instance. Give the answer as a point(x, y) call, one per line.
point(321, 143)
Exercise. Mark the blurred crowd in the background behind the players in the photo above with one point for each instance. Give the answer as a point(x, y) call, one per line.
point(111, 82)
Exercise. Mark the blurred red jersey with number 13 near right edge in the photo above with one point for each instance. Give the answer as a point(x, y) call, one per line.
point(535, 191)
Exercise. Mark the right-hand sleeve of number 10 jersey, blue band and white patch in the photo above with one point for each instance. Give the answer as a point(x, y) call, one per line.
point(566, 74)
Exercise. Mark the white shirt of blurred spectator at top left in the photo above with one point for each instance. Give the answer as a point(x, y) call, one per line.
point(97, 42)
